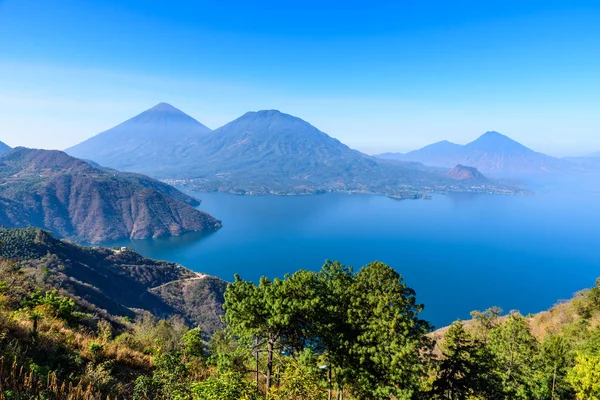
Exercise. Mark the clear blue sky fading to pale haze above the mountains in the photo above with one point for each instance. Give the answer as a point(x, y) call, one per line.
point(378, 75)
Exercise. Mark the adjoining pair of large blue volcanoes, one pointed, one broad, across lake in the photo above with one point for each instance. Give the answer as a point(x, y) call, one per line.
point(260, 152)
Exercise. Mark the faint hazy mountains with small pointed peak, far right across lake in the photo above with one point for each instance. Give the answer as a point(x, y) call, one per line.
point(492, 153)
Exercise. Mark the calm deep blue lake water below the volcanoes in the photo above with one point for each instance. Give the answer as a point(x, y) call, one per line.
point(460, 252)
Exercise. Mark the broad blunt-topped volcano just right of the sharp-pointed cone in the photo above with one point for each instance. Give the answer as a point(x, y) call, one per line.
point(271, 152)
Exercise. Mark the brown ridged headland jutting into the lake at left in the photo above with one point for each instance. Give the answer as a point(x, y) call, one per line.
point(76, 200)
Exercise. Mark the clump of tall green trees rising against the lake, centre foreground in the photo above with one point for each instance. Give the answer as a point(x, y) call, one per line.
point(366, 324)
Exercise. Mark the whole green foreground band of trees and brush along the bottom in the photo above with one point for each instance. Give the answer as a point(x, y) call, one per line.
point(336, 333)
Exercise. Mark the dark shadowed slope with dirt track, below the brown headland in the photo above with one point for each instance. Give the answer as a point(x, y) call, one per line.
point(117, 282)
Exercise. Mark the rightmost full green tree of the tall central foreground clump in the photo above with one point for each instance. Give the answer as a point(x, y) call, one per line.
point(389, 336)
